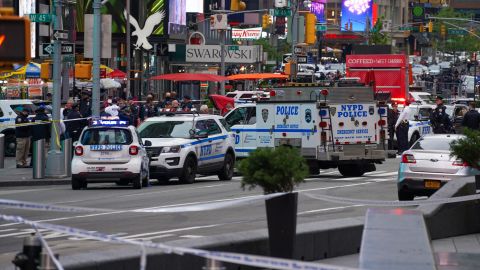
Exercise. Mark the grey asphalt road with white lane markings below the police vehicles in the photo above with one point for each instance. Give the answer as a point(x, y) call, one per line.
point(162, 227)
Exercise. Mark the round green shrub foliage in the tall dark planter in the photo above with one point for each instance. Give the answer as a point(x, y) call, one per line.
point(274, 170)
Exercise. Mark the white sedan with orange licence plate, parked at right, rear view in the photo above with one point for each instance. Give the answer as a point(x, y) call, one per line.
point(427, 166)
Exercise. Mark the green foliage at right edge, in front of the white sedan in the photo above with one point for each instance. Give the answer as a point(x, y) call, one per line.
point(468, 148)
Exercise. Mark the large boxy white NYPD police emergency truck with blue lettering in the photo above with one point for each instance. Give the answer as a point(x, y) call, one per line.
point(336, 127)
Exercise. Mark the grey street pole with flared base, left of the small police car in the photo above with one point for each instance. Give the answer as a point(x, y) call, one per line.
point(55, 156)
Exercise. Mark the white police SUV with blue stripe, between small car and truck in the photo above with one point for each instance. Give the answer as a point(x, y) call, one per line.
point(186, 144)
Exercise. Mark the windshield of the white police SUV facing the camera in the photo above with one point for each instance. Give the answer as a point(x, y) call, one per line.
point(166, 129)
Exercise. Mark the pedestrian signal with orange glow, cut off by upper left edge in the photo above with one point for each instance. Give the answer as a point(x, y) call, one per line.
point(14, 40)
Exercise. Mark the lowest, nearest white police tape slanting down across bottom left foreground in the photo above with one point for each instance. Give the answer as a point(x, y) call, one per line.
point(236, 258)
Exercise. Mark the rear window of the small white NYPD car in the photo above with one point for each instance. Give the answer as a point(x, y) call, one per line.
point(99, 136)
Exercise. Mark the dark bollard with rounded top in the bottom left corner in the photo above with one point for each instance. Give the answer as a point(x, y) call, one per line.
point(29, 258)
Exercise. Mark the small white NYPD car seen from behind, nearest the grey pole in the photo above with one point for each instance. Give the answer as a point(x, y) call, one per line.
point(109, 151)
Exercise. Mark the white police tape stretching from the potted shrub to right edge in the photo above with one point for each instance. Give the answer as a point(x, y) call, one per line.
point(430, 201)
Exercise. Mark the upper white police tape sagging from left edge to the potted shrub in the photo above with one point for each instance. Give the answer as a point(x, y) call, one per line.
point(188, 207)
